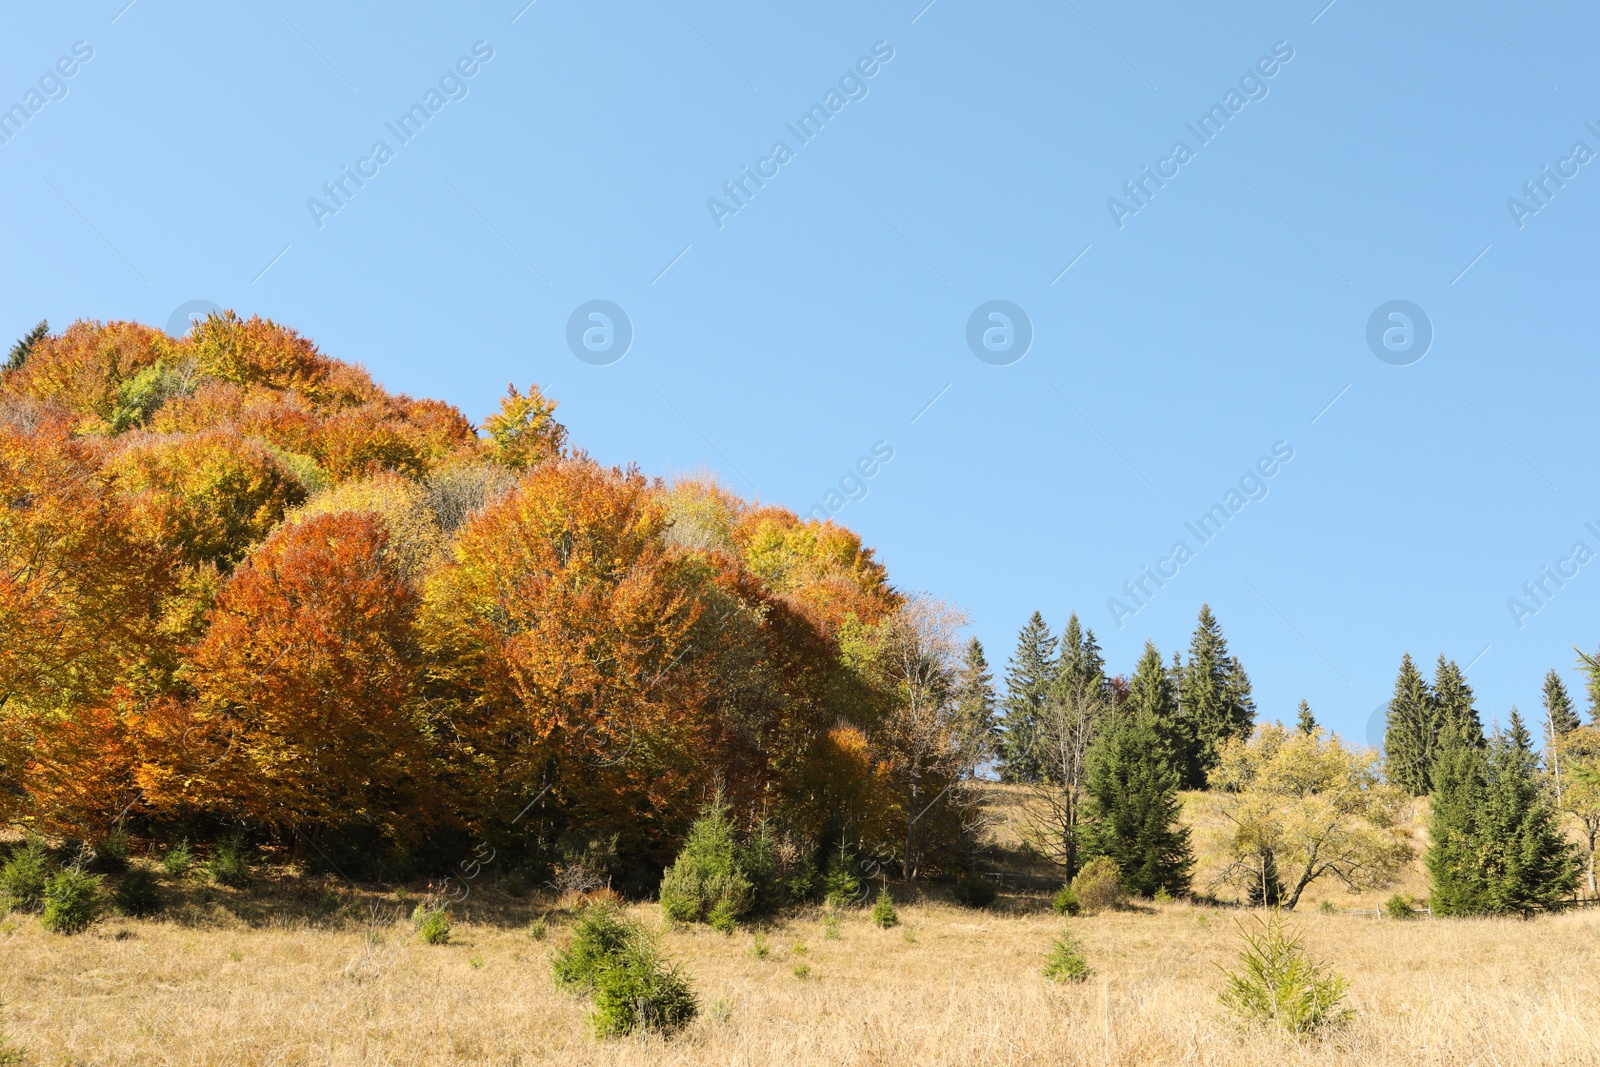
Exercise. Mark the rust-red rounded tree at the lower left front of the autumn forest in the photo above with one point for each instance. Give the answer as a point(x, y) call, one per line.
point(305, 711)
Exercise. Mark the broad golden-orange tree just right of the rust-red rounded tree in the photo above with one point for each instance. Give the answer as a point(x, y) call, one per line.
point(562, 647)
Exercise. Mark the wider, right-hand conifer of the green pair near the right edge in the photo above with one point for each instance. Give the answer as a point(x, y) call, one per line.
point(1530, 866)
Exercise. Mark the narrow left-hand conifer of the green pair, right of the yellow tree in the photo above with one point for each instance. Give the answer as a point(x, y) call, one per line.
point(1455, 855)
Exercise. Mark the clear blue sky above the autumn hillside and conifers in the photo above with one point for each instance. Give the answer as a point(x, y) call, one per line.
point(828, 313)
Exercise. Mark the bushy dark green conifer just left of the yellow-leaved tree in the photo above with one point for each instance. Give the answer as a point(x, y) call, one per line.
point(1134, 809)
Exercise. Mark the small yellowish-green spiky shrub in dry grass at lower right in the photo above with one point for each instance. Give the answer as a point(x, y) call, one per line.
point(1279, 985)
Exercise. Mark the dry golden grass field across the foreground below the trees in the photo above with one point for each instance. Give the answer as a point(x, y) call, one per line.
point(271, 977)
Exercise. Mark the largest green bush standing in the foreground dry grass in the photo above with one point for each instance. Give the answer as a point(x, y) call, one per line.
point(620, 964)
